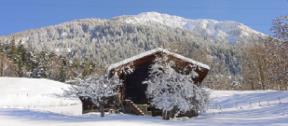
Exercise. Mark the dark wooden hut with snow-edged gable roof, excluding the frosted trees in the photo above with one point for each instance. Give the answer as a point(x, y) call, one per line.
point(133, 71)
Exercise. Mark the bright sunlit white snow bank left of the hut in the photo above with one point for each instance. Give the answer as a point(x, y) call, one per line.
point(36, 94)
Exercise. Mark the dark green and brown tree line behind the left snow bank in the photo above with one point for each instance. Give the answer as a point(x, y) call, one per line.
point(18, 61)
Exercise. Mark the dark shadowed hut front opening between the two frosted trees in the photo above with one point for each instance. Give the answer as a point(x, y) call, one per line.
point(134, 89)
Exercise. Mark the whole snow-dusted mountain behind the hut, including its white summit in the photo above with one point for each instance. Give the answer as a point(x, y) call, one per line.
point(106, 41)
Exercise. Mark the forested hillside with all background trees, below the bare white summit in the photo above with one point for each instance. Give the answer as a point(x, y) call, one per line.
point(83, 47)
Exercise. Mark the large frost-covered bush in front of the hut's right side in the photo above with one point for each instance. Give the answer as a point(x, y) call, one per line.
point(173, 92)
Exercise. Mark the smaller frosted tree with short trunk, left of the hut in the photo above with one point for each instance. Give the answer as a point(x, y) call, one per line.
point(98, 89)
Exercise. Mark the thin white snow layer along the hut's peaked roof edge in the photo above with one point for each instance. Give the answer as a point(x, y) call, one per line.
point(147, 53)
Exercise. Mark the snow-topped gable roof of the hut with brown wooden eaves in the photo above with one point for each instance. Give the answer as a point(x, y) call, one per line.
point(182, 64)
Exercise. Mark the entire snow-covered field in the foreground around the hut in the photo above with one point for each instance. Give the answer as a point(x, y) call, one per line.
point(36, 102)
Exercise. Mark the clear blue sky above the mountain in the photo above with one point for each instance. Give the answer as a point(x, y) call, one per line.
point(20, 15)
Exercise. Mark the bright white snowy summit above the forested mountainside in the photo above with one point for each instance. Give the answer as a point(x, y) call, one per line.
point(220, 30)
